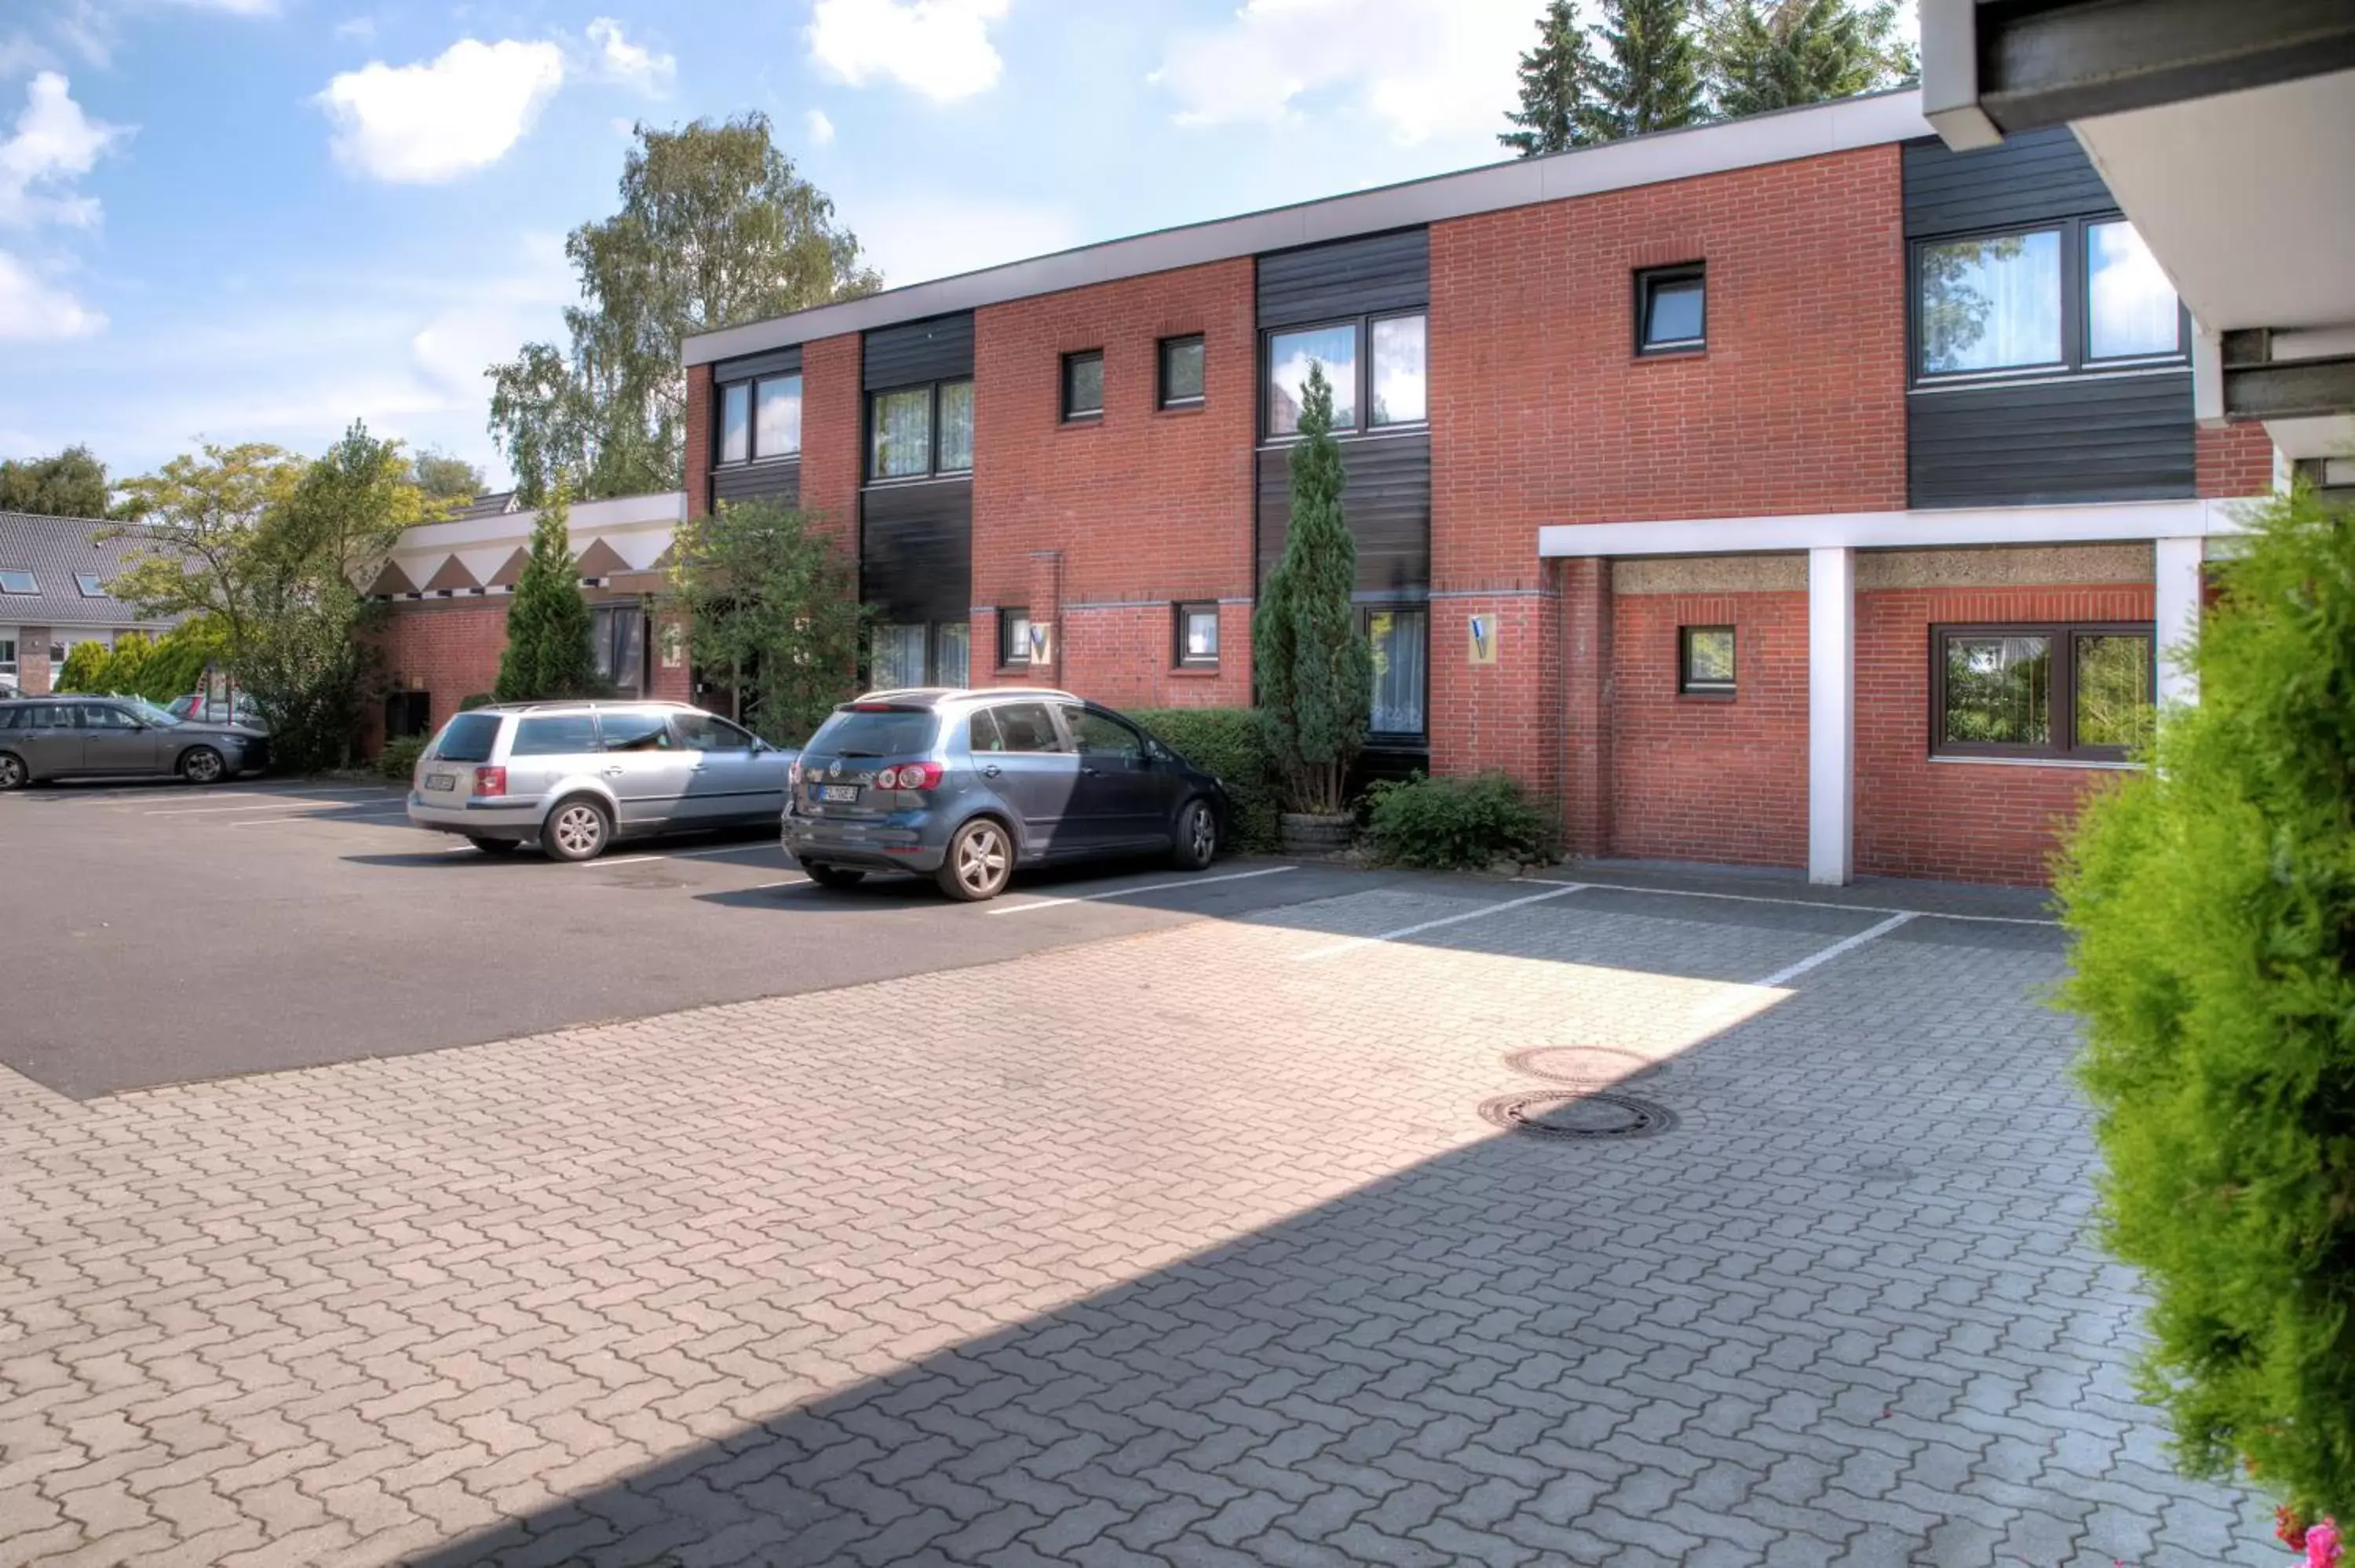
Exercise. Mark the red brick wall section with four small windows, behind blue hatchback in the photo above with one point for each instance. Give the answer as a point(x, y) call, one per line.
point(1139, 510)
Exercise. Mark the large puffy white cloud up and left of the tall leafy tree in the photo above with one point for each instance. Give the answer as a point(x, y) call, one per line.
point(446, 117)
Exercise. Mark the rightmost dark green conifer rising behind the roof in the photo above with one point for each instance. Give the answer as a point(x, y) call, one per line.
point(1786, 53)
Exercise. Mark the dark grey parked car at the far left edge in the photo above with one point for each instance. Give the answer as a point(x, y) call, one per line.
point(88, 738)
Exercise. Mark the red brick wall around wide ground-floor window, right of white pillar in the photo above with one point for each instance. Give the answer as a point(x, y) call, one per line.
point(1958, 820)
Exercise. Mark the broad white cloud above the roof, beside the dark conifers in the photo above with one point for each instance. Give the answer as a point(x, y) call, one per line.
point(1417, 67)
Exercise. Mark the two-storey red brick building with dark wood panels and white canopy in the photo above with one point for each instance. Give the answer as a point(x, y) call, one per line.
point(1791, 493)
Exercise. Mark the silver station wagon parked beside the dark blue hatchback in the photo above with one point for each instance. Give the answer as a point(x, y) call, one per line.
point(578, 776)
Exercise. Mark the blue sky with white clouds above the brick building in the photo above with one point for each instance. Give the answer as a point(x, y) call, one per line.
point(256, 220)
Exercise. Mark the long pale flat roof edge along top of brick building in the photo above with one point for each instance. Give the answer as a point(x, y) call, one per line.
point(1520, 182)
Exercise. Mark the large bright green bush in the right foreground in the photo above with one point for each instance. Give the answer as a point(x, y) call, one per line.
point(2213, 917)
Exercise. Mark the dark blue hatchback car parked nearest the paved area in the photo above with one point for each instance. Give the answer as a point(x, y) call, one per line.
point(969, 785)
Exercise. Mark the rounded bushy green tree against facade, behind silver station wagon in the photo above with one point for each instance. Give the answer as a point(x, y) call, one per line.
point(767, 594)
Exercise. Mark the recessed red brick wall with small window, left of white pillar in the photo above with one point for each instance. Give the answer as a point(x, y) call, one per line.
point(1701, 778)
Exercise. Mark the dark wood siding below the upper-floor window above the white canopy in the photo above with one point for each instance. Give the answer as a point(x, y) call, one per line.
point(2092, 439)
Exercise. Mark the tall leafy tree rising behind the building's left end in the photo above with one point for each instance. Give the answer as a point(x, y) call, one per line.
point(715, 230)
